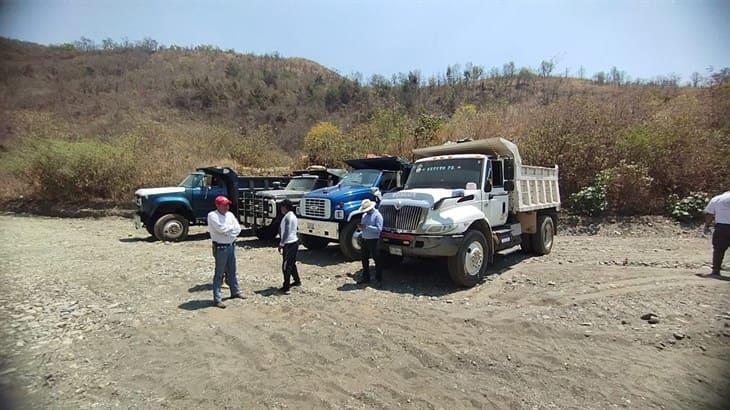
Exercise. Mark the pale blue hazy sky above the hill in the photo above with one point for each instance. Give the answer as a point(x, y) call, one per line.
point(645, 38)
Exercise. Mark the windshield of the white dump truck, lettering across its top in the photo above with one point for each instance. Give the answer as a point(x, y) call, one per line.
point(445, 173)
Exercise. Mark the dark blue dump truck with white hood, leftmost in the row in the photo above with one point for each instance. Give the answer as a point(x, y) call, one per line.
point(167, 212)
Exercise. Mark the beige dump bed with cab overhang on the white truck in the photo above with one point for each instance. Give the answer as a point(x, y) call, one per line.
point(535, 187)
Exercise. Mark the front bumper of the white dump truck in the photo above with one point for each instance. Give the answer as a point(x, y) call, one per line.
point(421, 245)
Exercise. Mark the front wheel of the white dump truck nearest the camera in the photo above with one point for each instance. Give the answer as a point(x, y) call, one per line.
point(469, 265)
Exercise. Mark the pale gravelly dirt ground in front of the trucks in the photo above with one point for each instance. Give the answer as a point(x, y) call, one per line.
point(96, 315)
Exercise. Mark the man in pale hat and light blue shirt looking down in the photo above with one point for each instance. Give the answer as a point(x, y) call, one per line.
point(371, 225)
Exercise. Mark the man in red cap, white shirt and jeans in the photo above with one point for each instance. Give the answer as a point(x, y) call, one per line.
point(224, 230)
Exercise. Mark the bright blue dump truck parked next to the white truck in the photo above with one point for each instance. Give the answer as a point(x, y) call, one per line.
point(331, 214)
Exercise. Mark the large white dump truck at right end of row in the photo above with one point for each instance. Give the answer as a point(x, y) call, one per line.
point(467, 200)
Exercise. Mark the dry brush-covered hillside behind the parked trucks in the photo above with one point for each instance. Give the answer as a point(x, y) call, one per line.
point(76, 115)
